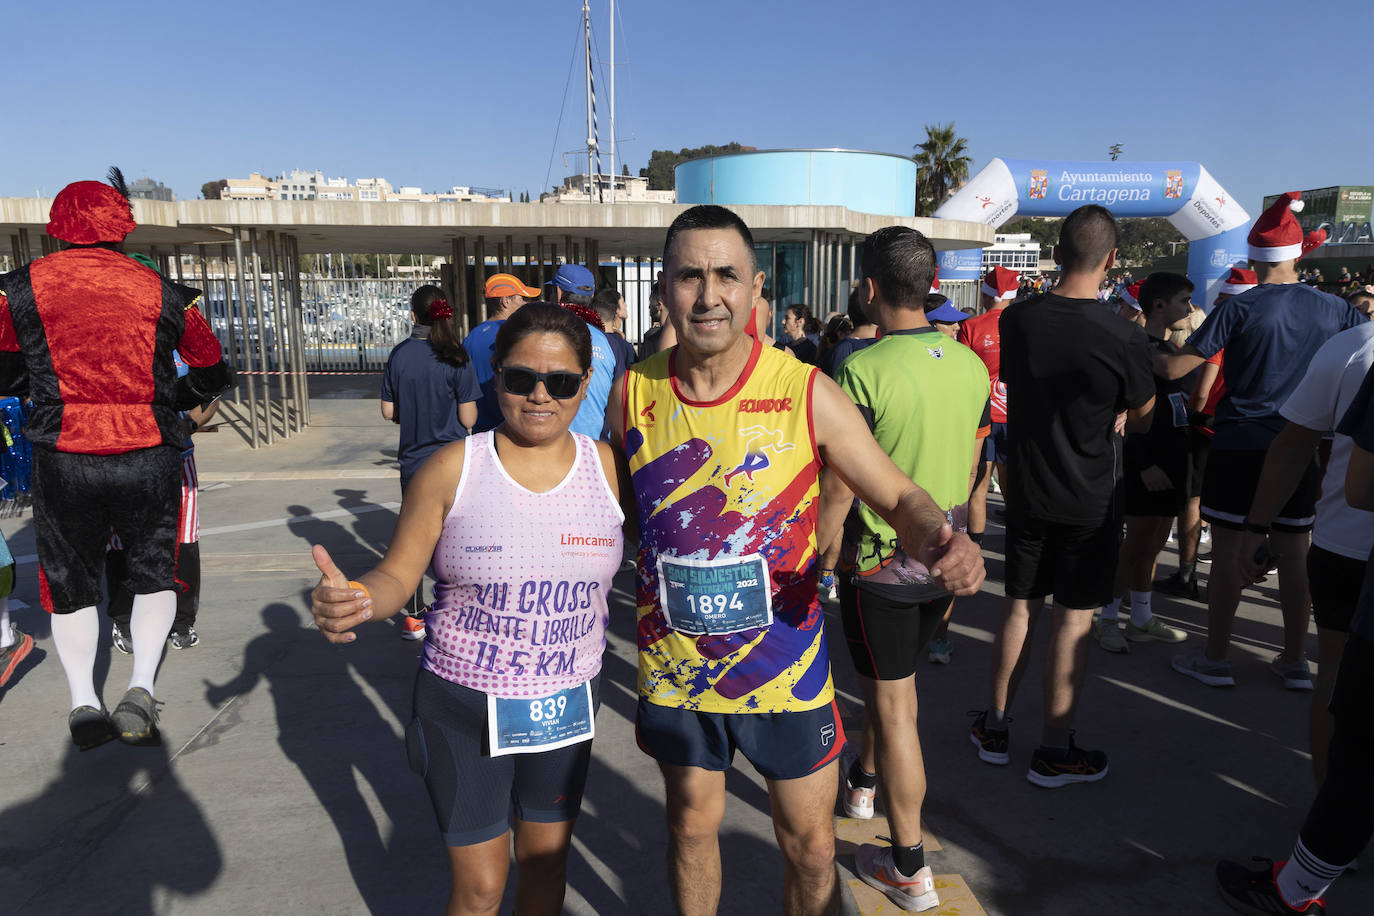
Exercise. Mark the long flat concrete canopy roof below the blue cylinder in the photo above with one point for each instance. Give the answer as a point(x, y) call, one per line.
point(622, 230)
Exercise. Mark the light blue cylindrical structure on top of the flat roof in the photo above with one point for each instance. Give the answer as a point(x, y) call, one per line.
point(879, 183)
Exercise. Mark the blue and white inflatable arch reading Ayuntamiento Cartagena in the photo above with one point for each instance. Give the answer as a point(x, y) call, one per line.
point(1185, 193)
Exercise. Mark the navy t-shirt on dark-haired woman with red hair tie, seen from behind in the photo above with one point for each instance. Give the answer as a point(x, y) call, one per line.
point(427, 393)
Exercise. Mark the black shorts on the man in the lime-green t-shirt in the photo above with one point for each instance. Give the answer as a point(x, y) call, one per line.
point(887, 637)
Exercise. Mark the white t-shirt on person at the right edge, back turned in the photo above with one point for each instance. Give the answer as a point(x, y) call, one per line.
point(1318, 403)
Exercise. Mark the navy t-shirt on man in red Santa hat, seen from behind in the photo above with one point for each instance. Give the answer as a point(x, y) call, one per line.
point(1270, 336)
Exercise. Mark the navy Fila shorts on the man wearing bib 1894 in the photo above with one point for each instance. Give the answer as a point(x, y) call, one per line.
point(780, 745)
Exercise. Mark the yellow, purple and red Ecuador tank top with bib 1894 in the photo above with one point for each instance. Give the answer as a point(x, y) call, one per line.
point(729, 492)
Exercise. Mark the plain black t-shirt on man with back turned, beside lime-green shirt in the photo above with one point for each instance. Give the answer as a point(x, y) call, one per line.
point(1070, 367)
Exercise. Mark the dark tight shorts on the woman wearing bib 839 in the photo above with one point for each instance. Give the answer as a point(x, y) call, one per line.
point(475, 794)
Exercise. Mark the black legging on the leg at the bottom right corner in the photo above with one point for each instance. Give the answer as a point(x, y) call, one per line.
point(1342, 819)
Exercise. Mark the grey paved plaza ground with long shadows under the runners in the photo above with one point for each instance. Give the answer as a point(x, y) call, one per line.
point(282, 785)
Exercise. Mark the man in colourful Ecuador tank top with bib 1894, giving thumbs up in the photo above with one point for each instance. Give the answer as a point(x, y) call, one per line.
point(726, 440)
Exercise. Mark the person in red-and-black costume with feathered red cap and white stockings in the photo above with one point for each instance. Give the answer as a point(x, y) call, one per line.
point(97, 332)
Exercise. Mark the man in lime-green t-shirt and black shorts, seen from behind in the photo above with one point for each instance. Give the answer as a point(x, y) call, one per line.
point(925, 398)
